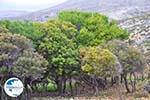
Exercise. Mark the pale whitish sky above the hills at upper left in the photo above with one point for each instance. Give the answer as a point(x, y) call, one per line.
point(28, 5)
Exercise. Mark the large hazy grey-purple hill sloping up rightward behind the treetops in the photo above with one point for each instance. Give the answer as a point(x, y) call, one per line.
point(116, 9)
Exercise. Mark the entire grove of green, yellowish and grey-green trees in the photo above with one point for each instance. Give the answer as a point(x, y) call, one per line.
point(69, 55)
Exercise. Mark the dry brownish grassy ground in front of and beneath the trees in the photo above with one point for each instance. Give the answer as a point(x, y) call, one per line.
point(109, 94)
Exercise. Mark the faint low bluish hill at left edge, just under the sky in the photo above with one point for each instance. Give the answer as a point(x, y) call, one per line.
point(12, 13)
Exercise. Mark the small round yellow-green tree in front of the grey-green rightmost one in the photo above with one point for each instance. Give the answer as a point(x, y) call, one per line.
point(99, 63)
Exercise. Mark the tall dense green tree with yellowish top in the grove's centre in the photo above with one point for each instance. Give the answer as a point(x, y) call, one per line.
point(60, 51)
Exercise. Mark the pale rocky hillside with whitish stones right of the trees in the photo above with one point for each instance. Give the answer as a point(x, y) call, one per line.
point(140, 33)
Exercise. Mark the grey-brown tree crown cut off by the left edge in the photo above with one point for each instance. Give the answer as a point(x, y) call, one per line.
point(11, 47)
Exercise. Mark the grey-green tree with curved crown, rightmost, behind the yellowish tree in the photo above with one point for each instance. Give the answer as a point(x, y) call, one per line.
point(129, 57)
